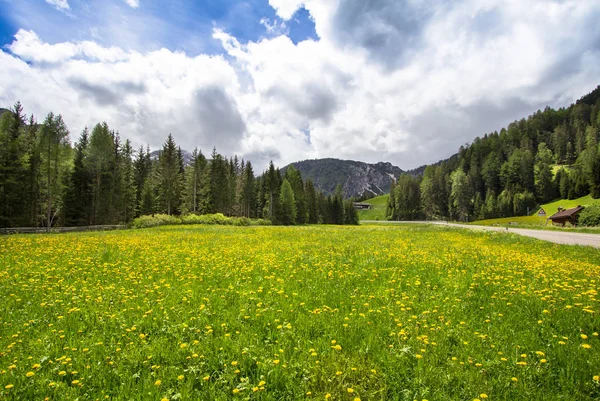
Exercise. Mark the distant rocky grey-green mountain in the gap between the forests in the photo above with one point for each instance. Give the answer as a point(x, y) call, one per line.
point(355, 177)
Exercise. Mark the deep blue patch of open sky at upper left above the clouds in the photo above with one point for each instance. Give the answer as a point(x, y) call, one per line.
point(175, 24)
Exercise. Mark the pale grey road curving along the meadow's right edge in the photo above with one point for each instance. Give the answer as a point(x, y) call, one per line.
point(559, 237)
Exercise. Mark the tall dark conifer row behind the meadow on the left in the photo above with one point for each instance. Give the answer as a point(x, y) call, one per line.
point(102, 180)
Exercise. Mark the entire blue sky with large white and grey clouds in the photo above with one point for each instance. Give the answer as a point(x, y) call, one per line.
point(404, 81)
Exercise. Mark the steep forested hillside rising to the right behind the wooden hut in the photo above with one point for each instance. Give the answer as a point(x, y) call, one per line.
point(550, 154)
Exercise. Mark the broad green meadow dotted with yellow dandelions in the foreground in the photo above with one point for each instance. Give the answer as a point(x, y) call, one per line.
point(275, 313)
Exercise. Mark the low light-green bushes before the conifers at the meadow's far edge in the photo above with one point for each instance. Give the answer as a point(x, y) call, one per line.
point(206, 219)
